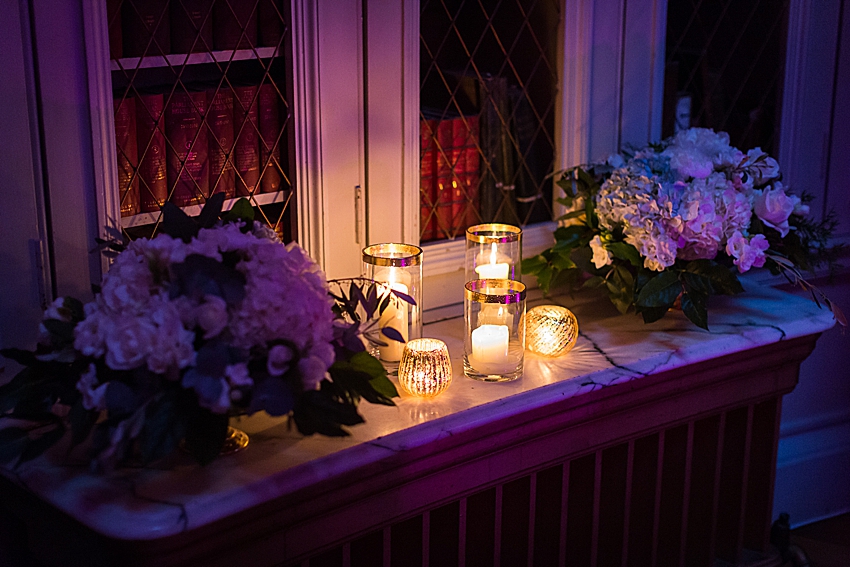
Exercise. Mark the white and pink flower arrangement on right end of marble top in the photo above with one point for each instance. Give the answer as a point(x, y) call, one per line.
point(672, 223)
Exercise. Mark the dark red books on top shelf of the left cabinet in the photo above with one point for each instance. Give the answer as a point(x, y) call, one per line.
point(159, 27)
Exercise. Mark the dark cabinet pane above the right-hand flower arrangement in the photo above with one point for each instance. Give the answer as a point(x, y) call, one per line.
point(724, 69)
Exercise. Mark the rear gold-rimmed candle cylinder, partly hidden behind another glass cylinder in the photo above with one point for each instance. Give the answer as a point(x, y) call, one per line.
point(493, 251)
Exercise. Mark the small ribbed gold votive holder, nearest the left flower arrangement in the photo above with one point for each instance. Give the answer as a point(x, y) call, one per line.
point(425, 369)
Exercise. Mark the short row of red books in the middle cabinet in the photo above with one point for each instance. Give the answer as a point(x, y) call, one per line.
point(448, 176)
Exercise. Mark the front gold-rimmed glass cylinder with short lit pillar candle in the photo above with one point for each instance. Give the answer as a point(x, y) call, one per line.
point(494, 341)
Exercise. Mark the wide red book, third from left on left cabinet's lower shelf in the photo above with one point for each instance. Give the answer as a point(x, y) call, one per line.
point(188, 167)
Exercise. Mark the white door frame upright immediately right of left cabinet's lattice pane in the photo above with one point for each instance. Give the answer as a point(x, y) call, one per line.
point(329, 132)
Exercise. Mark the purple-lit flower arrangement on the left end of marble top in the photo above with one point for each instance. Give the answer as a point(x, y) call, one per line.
point(209, 319)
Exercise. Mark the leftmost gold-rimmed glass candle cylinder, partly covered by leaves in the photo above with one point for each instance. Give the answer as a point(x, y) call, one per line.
point(396, 268)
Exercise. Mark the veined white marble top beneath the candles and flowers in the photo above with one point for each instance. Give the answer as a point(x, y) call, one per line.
point(147, 504)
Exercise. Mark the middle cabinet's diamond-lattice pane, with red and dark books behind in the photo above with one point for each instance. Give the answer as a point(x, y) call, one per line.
point(487, 117)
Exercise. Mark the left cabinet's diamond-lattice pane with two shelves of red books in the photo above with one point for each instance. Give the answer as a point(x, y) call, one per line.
point(201, 107)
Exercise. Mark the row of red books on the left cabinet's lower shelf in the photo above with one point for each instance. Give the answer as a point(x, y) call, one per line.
point(195, 144)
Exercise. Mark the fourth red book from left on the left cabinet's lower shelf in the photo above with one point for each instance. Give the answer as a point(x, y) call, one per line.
point(220, 120)
